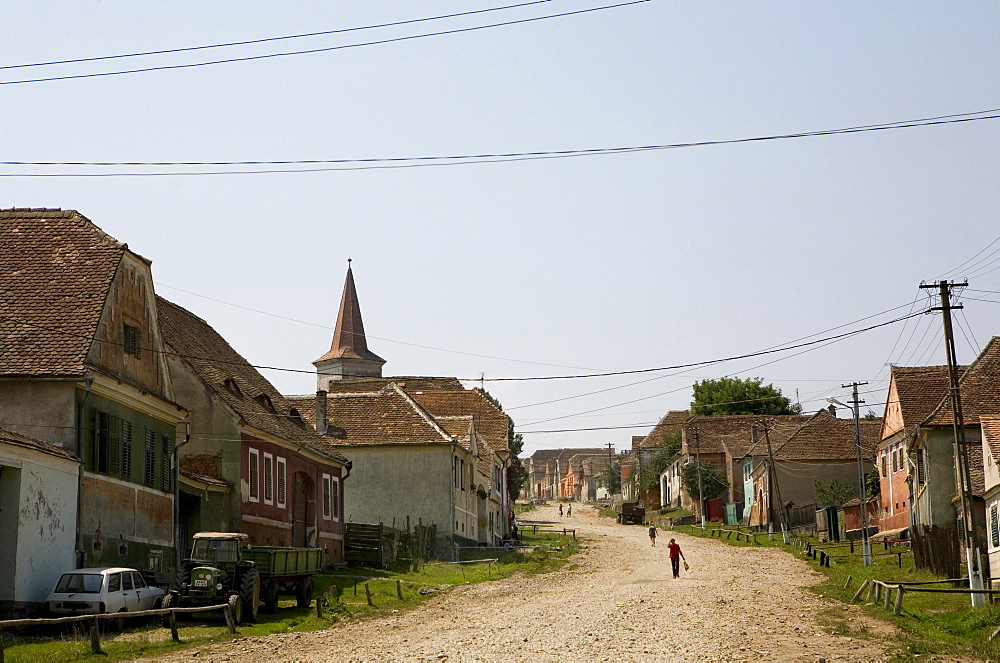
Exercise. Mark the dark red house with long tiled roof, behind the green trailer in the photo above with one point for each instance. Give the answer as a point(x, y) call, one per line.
point(251, 463)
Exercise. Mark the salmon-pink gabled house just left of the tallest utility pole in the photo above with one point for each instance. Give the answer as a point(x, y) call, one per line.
point(914, 392)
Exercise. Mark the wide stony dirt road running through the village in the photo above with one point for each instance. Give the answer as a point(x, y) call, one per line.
point(616, 602)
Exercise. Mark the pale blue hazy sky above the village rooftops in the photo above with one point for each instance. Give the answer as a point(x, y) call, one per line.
point(535, 268)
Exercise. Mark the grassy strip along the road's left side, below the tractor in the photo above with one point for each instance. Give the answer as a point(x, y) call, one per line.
point(149, 640)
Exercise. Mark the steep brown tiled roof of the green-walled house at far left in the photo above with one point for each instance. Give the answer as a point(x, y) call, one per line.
point(56, 268)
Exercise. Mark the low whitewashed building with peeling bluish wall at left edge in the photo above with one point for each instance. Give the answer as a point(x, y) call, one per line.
point(38, 498)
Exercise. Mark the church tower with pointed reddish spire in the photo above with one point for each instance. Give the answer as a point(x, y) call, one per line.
point(349, 356)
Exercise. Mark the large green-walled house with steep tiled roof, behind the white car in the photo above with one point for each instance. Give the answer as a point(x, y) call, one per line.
point(83, 368)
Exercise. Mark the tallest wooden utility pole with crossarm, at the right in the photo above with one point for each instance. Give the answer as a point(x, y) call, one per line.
point(961, 450)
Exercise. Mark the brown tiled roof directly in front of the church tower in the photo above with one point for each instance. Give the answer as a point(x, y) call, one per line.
point(386, 417)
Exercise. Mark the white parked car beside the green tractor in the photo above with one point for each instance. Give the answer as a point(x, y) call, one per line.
point(99, 590)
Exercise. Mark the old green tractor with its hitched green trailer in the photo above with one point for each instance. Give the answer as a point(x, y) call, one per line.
point(223, 568)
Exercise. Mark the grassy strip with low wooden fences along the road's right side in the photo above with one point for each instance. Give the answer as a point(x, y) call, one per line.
point(930, 624)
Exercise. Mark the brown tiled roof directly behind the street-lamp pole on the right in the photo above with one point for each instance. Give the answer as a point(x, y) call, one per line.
point(825, 437)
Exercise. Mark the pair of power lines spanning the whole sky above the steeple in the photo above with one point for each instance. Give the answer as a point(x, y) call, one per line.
point(389, 163)
